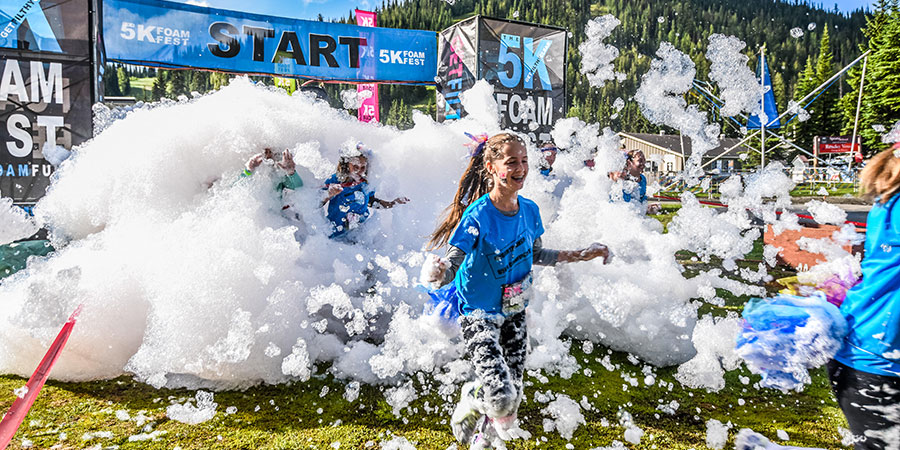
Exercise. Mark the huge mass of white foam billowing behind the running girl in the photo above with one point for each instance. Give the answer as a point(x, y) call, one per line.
point(191, 276)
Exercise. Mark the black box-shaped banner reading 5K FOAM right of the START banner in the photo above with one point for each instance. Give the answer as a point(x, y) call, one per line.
point(526, 64)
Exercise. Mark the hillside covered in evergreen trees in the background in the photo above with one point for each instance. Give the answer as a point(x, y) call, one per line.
point(805, 45)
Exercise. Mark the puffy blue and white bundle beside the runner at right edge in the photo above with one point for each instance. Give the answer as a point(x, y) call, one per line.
point(784, 336)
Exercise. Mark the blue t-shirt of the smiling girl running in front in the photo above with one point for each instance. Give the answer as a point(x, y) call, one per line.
point(498, 251)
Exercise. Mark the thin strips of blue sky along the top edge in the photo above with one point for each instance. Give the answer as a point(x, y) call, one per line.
point(310, 9)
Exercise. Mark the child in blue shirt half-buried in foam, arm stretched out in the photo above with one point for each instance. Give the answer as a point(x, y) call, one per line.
point(348, 194)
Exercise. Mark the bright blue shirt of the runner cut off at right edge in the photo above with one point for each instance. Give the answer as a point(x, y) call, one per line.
point(872, 308)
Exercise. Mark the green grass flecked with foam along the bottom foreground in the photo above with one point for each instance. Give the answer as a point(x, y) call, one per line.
point(124, 414)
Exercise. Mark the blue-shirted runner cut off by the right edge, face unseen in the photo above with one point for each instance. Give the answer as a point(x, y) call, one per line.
point(865, 373)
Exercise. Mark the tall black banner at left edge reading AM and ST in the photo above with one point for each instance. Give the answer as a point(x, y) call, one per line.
point(45, 91)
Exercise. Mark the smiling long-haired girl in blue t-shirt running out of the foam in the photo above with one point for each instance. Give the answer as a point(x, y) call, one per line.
point(495, 238)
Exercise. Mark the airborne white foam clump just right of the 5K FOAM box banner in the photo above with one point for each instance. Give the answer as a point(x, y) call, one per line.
point(596, 56)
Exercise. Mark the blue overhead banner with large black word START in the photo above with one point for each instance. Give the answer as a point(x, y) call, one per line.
point(166, 34)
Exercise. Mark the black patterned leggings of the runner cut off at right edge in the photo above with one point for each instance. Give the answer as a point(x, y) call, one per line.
point(871, 404)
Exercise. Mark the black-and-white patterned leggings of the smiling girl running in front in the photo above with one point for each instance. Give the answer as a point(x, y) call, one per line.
point(497, 348)
